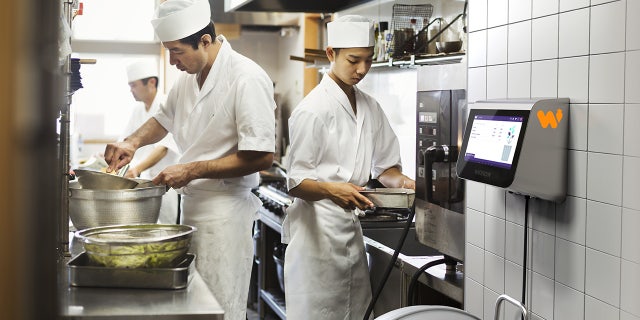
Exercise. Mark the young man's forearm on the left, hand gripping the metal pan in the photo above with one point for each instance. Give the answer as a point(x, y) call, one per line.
point(346, 195)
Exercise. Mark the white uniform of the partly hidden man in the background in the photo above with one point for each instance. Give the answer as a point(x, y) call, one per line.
point(140, 115)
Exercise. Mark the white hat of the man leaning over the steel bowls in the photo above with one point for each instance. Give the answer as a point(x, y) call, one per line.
point(177, 19)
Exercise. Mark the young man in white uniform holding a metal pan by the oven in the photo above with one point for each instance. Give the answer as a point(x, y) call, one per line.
point(339, 137)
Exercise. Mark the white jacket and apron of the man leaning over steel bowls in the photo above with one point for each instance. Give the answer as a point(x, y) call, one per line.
point(233, 111)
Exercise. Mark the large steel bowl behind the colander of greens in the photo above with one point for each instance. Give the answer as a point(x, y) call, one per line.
point(94, 208)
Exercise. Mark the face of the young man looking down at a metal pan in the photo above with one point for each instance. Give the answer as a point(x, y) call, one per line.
point(350, 65)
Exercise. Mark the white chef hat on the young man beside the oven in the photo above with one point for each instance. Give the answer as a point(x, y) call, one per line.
point(350, 31)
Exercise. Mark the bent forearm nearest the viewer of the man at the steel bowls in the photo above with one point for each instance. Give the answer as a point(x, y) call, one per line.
point(235, 165)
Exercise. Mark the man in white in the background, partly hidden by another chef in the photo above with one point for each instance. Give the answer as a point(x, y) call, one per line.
point(149, 160)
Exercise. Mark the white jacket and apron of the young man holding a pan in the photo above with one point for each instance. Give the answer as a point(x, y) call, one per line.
point(326, 274)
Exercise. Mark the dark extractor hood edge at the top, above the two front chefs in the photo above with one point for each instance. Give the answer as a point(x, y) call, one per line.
point(308, 6)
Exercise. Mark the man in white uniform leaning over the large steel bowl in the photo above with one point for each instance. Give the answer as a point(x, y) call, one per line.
point(221, 114)
